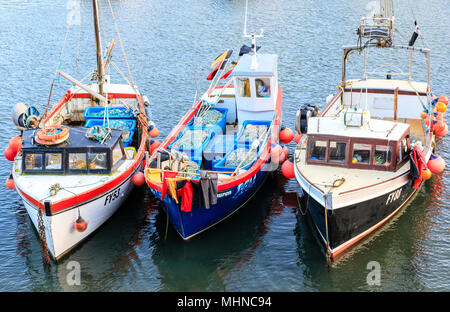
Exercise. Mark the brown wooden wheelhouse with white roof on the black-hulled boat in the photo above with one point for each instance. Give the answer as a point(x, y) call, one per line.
point(377, 145)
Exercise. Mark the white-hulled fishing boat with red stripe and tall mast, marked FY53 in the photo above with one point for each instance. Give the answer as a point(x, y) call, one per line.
point(74, 165)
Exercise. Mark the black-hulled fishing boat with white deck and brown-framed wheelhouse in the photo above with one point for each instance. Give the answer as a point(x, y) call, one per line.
point(366, 153)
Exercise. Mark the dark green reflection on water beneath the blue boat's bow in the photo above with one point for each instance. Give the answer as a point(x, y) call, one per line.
point(208, 262)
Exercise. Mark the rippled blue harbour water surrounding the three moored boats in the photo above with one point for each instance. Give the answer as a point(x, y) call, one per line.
point(266, 246)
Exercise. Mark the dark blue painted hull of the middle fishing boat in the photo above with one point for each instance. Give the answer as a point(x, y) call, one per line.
point(189, 224)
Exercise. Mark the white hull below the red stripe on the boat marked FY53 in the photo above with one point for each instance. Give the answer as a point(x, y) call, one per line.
point(61, 236)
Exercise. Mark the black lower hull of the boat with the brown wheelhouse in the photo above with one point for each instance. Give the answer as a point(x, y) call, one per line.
point(348, 225)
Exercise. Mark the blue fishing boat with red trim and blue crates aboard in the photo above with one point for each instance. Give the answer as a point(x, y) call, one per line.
point(219, 154)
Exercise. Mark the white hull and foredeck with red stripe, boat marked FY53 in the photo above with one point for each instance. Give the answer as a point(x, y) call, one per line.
point(61, 235)
